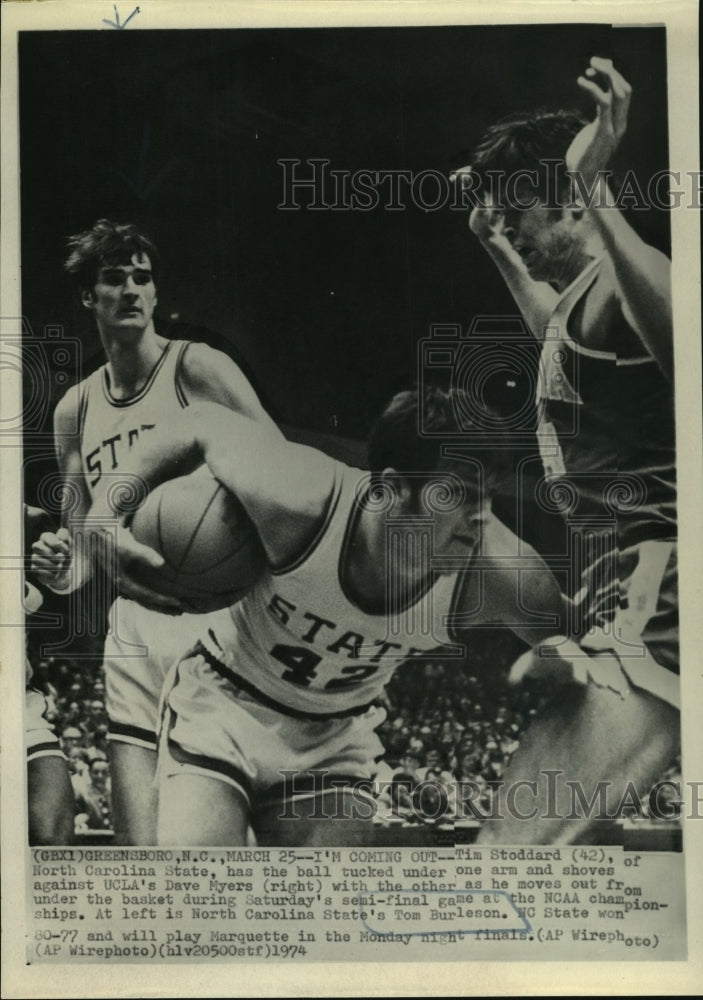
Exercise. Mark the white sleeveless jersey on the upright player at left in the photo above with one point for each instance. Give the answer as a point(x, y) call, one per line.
point(109, 427)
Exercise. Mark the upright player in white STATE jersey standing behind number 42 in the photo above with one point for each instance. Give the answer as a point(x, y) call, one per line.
point(144, 383)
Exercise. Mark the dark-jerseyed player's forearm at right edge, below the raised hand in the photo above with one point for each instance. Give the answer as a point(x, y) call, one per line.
point(643, 277)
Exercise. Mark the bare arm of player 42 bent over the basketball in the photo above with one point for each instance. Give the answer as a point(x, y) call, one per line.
point(284, 487)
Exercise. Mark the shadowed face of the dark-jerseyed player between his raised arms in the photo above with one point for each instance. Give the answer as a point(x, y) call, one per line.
point(548, 240)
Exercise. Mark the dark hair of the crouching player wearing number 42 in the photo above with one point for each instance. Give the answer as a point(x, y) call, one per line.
point(410, 433)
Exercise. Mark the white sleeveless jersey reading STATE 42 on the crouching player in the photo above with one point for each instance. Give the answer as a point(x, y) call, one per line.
point(301, 643)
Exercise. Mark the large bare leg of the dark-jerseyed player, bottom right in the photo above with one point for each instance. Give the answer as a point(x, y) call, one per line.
point(586, 735)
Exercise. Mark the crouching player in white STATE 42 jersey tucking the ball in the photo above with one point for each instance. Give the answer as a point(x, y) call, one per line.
point(270, 720)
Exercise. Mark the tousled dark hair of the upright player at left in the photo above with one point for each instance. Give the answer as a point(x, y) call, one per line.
point(105, 244)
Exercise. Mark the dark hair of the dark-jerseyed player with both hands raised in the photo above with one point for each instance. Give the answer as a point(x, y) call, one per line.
point(526, 141)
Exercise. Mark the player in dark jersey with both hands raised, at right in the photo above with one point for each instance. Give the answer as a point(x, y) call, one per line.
point(600, 299)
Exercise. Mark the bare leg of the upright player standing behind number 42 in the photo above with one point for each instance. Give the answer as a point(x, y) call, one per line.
point(134, 794)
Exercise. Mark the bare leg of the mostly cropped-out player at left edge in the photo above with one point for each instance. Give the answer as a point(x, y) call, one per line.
point(51, 802)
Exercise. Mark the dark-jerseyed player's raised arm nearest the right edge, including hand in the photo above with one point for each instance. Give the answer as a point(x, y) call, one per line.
point(641, 273)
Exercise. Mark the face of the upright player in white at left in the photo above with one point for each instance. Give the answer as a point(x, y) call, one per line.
point(124, 295)
